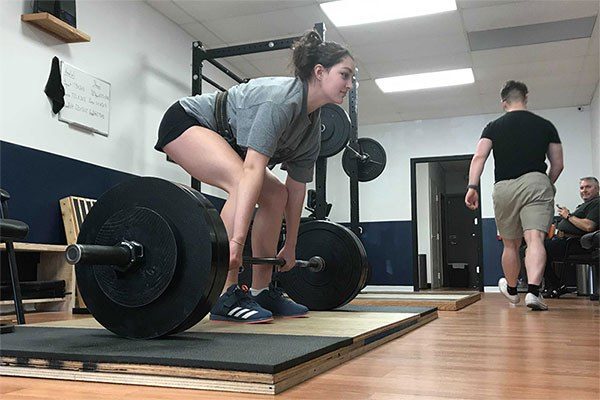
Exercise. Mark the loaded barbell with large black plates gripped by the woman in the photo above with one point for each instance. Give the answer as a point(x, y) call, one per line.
point(152, 257)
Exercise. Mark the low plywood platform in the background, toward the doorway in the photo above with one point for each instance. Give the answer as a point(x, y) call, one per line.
point(444, 301)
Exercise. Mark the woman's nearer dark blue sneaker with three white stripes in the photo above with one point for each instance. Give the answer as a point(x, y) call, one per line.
point(235, 305)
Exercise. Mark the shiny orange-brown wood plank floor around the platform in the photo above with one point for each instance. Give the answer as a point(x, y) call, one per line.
point(486, 350)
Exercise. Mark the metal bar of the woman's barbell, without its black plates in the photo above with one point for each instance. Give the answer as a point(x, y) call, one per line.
point(123, 256)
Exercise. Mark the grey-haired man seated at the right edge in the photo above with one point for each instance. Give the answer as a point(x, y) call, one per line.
point(572, 225)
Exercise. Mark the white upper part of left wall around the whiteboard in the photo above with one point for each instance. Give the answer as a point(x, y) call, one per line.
point(145, 57)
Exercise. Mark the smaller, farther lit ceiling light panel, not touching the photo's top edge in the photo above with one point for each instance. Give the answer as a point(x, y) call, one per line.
point(426, 81)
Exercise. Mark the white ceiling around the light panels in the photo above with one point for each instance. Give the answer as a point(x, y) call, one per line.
point(558, 74)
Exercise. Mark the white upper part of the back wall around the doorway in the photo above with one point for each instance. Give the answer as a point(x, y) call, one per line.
point(388, 197)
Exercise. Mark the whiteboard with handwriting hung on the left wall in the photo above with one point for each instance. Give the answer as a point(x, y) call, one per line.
point(87, 100)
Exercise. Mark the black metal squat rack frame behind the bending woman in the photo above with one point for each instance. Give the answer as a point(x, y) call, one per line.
point(200, 54)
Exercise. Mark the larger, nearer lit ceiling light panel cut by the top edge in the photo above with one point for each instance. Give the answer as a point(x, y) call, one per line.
point(355, 12)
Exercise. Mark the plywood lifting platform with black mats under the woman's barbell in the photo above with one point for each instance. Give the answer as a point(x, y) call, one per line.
point(333, 337)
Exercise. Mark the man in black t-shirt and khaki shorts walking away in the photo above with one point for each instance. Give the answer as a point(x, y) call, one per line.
point(523, 193)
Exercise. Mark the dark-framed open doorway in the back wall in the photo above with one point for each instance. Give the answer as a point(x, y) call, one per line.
point(447, 236)
